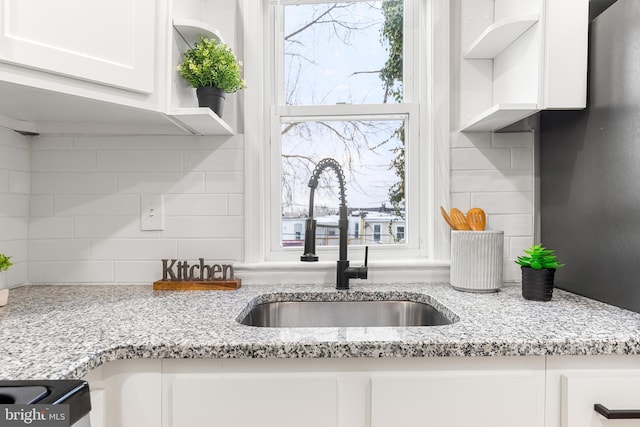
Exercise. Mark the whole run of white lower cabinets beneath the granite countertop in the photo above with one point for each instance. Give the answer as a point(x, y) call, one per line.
point(536, 391)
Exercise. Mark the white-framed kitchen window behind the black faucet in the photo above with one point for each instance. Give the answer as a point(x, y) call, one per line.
point(325, 100)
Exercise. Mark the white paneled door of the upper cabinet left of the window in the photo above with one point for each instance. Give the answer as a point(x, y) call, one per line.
point(109, 42)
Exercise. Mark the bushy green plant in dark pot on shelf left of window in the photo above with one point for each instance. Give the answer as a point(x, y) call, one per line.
point(211, 68)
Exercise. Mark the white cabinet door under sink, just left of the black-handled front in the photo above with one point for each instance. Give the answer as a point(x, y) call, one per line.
point(455, 399)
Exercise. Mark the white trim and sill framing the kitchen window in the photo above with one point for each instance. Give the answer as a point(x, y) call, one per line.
point(430, 261)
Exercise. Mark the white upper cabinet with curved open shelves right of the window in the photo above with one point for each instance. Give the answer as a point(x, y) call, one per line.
point(518, 57)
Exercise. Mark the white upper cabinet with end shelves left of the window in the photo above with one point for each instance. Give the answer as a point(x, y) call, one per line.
point(106, 67)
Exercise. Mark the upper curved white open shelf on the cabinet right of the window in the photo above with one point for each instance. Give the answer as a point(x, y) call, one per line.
point(498, 36)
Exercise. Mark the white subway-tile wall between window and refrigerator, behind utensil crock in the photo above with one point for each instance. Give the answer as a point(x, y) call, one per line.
point(495, 172)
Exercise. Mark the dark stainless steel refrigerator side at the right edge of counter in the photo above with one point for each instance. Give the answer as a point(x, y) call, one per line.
point(590, 169)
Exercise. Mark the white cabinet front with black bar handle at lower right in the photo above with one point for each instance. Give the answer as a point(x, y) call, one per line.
point(614, 390)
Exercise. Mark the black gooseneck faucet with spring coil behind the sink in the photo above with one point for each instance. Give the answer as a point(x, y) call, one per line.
point(344, 272)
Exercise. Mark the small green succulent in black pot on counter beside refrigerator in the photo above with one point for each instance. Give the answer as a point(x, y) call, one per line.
point(538, 269)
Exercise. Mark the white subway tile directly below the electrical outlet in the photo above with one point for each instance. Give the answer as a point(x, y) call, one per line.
point(133, 249)
